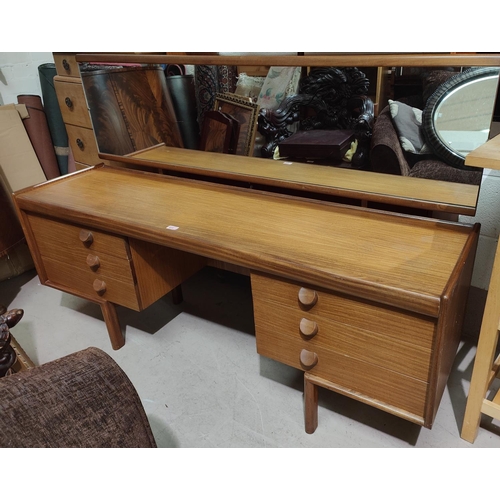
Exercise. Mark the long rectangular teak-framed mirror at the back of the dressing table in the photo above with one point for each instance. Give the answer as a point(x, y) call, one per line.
point(163, 111)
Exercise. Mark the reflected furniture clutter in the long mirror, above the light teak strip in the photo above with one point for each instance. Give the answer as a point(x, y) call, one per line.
point(134, 108)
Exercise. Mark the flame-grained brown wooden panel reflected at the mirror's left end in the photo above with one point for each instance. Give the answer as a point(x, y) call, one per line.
point(131, 109)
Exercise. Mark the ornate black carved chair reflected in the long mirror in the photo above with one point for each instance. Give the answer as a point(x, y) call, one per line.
point(328, 98)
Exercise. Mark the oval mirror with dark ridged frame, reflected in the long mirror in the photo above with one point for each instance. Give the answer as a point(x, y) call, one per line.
point(457, 117)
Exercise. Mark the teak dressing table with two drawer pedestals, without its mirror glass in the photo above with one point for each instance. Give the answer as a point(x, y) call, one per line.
point(367, 303)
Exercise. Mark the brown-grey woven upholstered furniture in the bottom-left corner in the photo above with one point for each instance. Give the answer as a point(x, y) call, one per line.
point(83, 400)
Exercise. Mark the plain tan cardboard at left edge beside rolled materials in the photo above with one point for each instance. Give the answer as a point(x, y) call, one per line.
point(19, 165)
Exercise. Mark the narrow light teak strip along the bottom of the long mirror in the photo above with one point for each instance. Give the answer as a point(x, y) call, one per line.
point(359, 185)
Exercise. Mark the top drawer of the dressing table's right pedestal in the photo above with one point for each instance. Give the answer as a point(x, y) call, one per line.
point(393, 323)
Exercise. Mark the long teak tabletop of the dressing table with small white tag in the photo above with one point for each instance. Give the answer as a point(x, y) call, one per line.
point(397, 260)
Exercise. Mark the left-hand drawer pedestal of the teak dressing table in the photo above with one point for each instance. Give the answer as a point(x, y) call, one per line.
point(136, 272)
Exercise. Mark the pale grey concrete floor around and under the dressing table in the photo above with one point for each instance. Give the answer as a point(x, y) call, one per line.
point(202, 383)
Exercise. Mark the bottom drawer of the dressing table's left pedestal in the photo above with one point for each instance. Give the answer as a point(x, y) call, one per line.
point(88, 284)
